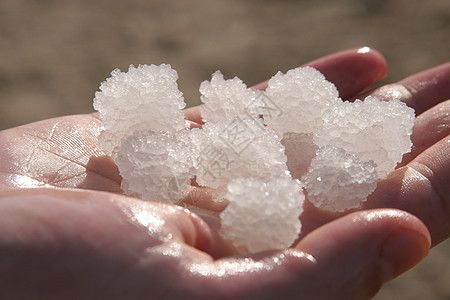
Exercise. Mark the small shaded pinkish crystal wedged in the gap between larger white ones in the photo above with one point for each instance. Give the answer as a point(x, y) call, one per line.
point(300, 150)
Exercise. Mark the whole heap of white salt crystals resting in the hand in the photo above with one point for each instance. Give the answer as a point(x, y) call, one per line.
point(332, 145)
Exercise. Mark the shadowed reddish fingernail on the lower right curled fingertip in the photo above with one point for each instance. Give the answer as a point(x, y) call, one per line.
point(401, 251)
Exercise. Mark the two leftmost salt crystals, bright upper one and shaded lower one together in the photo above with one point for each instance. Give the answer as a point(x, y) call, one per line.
point(143, 129)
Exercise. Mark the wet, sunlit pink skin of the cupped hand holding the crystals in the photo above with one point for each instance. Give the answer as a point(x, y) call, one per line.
point(67, 232)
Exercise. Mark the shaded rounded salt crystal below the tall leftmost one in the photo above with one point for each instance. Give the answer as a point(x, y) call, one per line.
point(156, 166)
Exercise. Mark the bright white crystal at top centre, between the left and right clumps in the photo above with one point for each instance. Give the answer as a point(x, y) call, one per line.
point(227, 99)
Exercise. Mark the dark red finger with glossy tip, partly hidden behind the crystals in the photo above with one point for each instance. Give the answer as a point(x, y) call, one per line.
point(352, 71)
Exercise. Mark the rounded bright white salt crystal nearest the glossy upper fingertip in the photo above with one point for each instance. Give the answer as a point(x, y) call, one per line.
point(299, 99)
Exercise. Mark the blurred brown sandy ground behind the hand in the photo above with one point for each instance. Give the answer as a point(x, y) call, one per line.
point(54, 54)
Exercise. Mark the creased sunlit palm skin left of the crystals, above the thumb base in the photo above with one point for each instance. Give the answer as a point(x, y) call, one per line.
point(61, 152)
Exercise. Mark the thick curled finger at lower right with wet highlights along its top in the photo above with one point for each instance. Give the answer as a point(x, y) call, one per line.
point(346, 259)
